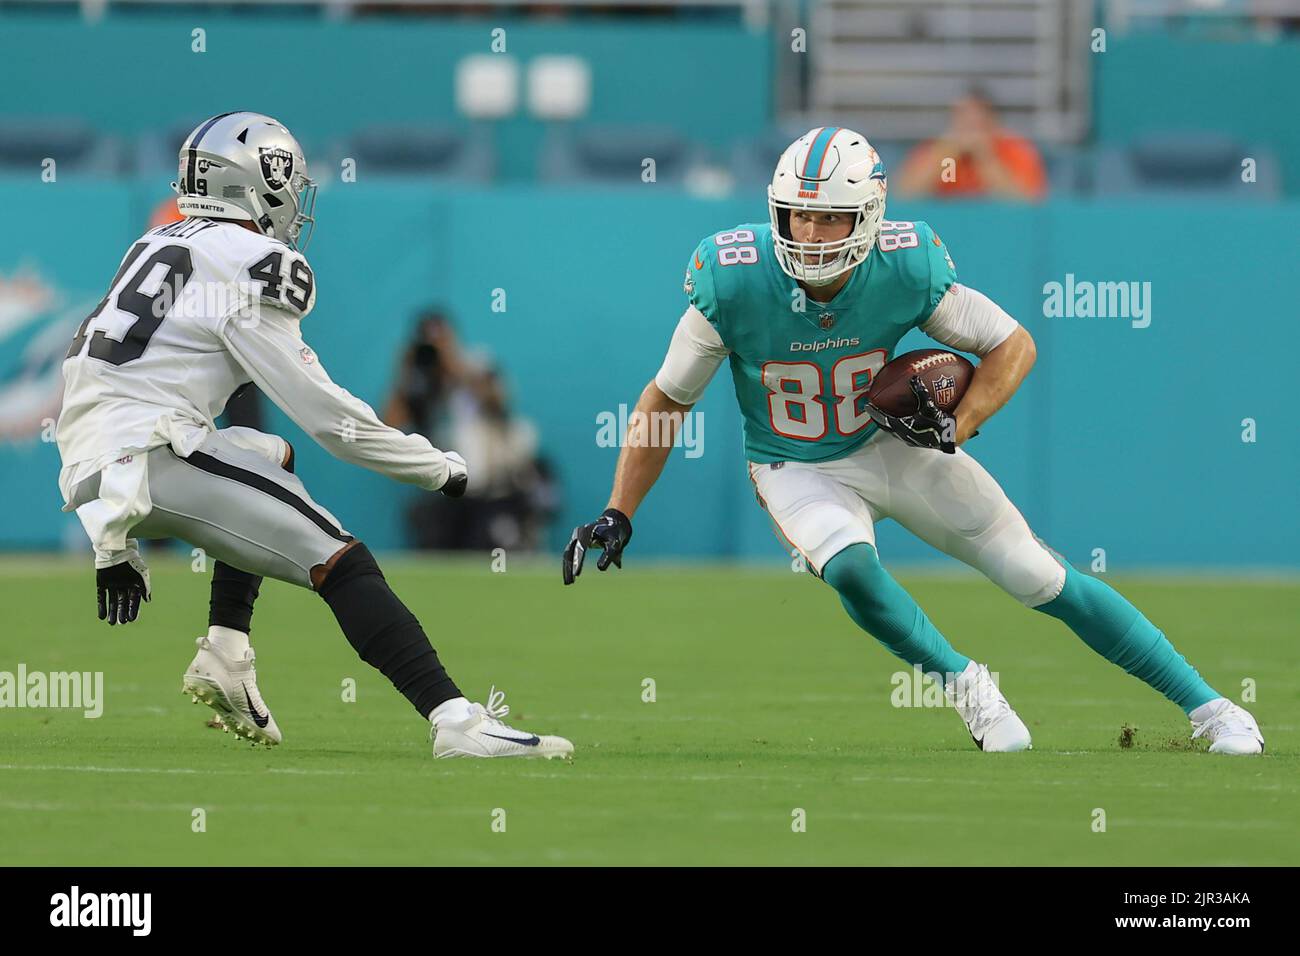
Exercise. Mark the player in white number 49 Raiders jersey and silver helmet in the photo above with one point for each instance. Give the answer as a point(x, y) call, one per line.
point(197, 310)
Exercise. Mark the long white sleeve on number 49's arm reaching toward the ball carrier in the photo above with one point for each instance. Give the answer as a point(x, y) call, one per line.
point(275, 356)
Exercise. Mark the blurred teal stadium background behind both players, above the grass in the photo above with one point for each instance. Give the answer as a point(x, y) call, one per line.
point(495, 267)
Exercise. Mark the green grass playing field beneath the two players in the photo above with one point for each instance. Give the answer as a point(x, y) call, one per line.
point(768, 700)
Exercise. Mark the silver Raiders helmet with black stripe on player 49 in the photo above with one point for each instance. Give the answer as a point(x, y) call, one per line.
point(248, 167)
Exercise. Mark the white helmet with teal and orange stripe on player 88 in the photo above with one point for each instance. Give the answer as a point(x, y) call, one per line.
point(827, 170)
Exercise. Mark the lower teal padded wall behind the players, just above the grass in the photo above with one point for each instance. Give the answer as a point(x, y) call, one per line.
point(1121, 439)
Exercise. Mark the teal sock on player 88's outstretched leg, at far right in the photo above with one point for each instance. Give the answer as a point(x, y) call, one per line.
point(1119, 631)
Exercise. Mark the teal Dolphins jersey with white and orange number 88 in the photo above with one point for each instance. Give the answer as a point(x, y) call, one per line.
point(803, 367)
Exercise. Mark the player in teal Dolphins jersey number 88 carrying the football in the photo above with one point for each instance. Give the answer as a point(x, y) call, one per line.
point(808, 309)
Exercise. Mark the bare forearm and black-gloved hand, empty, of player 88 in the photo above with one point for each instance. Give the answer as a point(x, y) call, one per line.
point(652, 431)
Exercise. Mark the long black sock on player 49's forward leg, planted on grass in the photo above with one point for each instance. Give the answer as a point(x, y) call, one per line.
point(384, 633)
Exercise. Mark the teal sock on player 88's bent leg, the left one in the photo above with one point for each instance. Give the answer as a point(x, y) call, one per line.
point(881, 607)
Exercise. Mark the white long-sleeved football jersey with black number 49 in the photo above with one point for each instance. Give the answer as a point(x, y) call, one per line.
point(197, 310)
